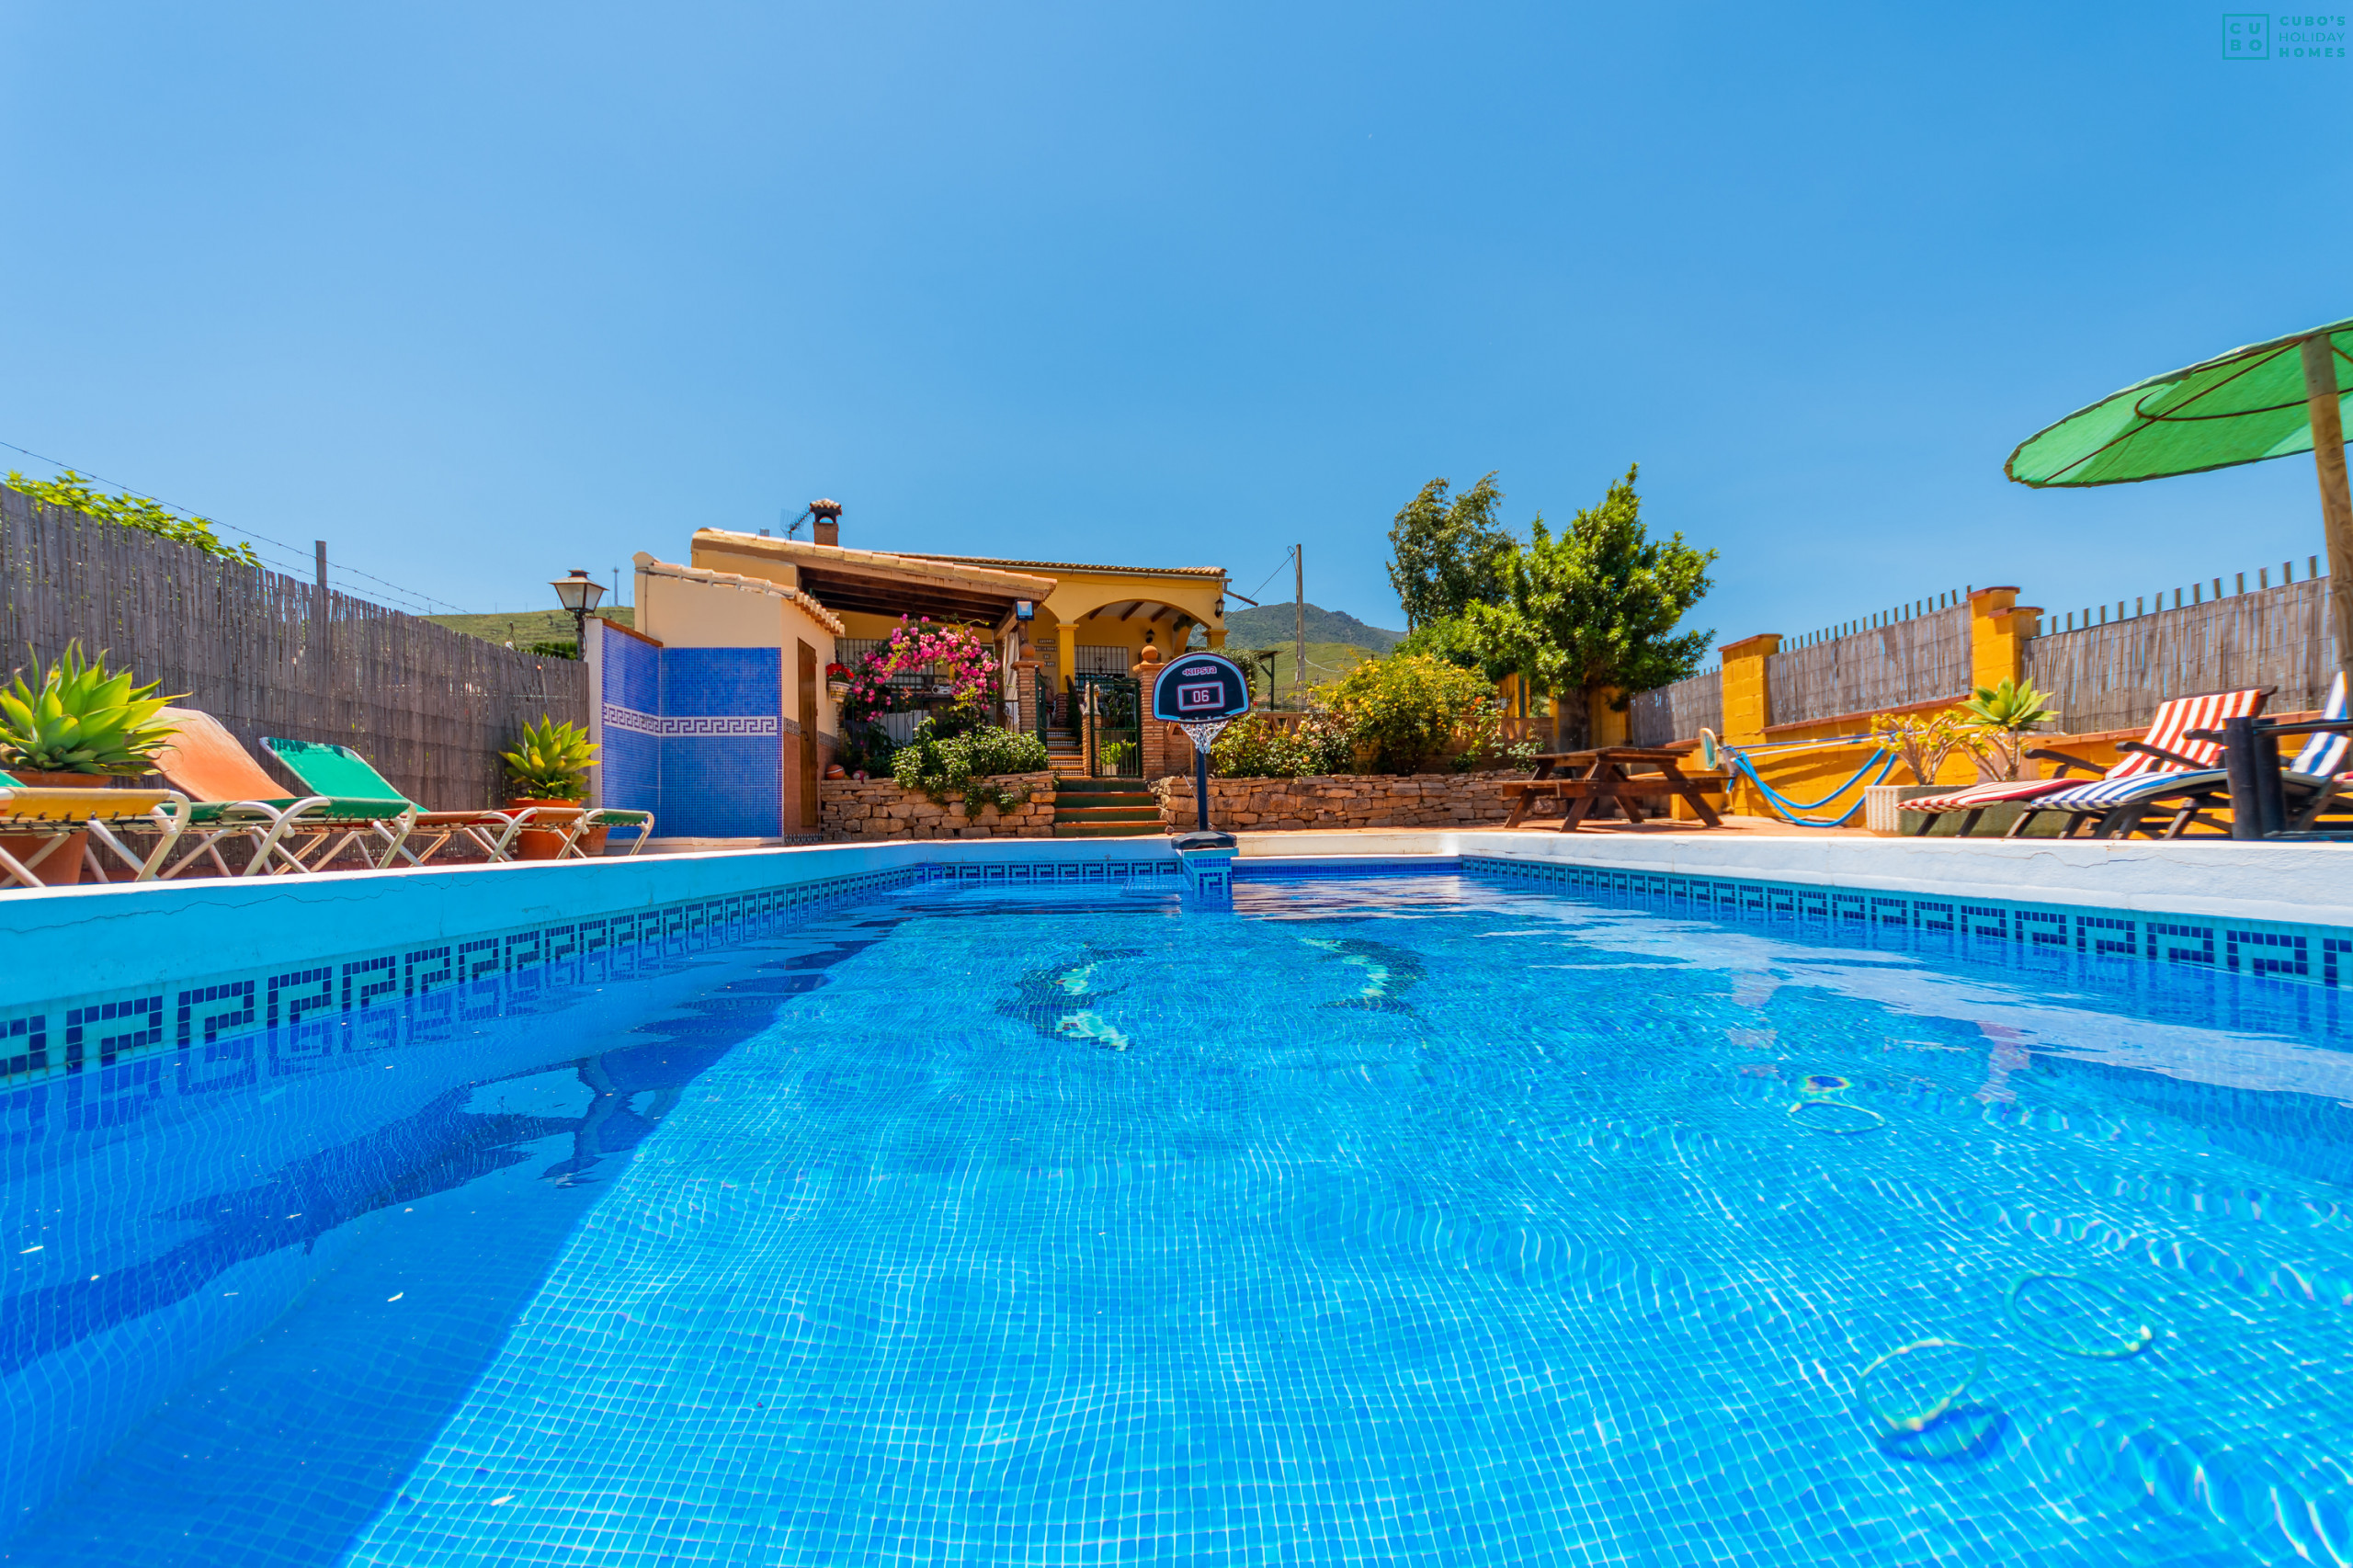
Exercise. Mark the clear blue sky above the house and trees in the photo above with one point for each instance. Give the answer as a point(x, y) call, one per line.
point(481, 293)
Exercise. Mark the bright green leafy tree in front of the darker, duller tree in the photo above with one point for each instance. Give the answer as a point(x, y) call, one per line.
point(1597, 609)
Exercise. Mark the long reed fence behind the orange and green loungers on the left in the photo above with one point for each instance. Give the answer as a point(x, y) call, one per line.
point(276, 656)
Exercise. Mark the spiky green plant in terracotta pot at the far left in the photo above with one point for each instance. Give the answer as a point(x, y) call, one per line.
point(81, 729)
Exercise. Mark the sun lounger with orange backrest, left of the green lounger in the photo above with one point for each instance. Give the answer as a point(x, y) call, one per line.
point(239, 799)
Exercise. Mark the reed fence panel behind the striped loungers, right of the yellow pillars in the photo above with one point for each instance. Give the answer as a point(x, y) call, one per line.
point(2114, 675)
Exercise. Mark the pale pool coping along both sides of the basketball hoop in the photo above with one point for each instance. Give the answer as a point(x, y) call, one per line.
point(126, 936)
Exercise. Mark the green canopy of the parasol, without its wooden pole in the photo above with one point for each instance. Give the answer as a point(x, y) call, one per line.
point(2237, 408)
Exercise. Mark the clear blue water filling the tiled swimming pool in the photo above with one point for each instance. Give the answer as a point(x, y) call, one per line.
point(1394, 1221)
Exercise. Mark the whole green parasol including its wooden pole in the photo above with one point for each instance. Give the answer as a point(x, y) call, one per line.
point(2239, 408)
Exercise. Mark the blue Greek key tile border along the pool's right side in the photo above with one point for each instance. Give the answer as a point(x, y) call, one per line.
point(2265, 950)
